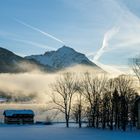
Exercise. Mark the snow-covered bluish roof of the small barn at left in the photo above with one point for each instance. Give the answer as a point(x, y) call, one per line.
point(17, 112)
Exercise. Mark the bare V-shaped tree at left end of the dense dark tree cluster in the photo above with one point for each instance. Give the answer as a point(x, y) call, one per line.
point(92, 88)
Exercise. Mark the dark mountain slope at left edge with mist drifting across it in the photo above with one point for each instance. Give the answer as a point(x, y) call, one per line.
point(12, 63)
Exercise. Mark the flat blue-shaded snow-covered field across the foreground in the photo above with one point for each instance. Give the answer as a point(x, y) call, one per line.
point(44, 132)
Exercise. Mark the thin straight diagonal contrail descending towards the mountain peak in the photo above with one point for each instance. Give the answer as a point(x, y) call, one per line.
point(42, 32)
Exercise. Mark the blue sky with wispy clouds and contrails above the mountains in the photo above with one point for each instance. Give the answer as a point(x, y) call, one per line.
point(107, 31)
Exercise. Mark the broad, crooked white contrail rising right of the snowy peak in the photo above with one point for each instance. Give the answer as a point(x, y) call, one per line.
point(108, 35)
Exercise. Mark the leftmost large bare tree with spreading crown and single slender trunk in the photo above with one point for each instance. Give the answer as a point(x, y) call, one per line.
point(63, 91)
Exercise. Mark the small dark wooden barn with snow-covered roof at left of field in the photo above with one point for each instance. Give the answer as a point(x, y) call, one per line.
point(18, 117)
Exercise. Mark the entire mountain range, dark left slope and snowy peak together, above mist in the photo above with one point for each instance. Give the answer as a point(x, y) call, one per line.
point(51, 61)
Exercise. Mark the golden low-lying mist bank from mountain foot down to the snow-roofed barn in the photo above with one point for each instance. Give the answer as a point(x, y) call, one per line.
point(32, 90)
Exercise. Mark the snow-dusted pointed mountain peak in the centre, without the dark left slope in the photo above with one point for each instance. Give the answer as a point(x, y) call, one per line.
point(62, 58)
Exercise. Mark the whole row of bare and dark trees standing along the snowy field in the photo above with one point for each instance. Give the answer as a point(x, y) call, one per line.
point(100, 101)
